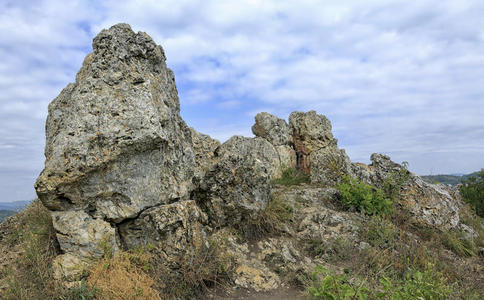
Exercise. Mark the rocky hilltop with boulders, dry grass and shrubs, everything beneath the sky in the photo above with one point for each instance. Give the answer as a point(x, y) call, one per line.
point(134, 204)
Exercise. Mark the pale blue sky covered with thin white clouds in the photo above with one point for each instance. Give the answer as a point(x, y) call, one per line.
point(396, 77)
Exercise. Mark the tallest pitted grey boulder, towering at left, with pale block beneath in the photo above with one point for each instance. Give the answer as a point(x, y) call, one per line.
point(116, 144)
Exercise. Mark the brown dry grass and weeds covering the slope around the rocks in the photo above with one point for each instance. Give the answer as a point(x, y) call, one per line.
point(28, 247)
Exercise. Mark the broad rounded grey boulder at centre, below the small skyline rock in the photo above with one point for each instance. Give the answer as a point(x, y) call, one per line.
point(237, 186)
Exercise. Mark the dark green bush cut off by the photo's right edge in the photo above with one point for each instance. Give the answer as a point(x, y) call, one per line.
point(472, 191)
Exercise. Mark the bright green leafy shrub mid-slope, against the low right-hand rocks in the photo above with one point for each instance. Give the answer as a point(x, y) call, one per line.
point(363, 197)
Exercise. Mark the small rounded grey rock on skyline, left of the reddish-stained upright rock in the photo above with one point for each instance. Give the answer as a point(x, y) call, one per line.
point(271, 128)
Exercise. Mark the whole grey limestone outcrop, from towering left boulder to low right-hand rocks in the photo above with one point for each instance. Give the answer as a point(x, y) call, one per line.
point(123, 170)
